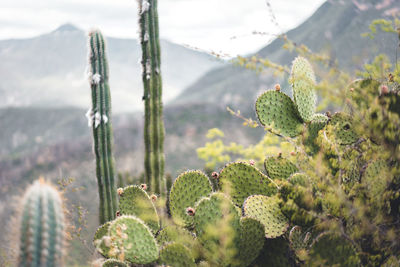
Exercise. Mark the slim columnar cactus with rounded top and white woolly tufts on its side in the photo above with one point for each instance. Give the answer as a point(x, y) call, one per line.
point(99, 117)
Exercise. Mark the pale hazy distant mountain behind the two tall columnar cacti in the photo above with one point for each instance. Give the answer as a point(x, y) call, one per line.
point(48, 70)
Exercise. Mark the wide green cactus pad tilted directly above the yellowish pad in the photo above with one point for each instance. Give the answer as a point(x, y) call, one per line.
point(241, 180)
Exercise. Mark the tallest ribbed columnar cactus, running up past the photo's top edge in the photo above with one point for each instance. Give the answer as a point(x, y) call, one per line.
point(152, 83)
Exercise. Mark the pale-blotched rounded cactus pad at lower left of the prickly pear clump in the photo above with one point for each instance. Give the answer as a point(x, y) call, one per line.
point(132, 240)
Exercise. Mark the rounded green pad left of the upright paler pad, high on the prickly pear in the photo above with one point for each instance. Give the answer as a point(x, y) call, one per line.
point(277, 111)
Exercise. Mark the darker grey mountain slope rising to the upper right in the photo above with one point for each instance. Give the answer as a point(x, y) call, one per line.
point(335, 28)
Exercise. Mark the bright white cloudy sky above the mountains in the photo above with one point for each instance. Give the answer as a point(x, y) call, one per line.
point(205, 24)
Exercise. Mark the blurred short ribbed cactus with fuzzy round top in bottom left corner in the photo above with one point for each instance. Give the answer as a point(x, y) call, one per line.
point(41, 238)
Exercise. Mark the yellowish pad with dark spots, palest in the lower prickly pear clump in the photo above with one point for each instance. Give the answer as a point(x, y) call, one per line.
point(267, 211)
